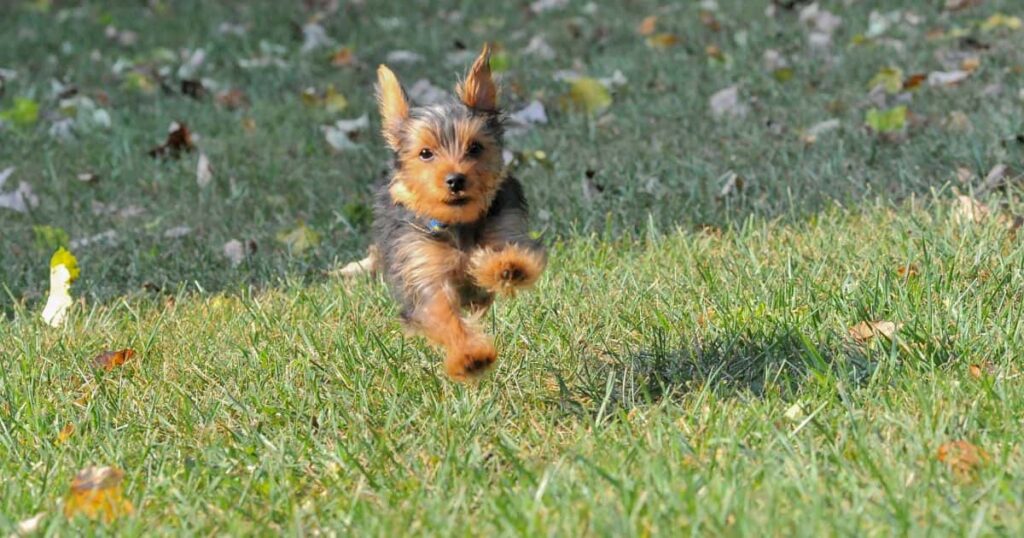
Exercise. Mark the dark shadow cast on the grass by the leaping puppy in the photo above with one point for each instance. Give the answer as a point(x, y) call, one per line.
point(748, 364)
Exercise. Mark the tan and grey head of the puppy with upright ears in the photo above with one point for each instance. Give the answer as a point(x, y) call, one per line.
point(450, 155)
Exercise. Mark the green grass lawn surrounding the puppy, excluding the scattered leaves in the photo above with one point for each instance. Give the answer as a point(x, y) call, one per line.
point(684, 367)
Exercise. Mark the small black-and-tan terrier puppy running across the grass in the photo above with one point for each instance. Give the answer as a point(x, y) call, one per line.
point(450, 227)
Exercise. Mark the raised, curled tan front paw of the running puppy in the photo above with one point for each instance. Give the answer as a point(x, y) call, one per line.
point(505, 271)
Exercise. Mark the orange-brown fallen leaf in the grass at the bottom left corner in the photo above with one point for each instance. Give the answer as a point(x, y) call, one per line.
point(97, 492)
